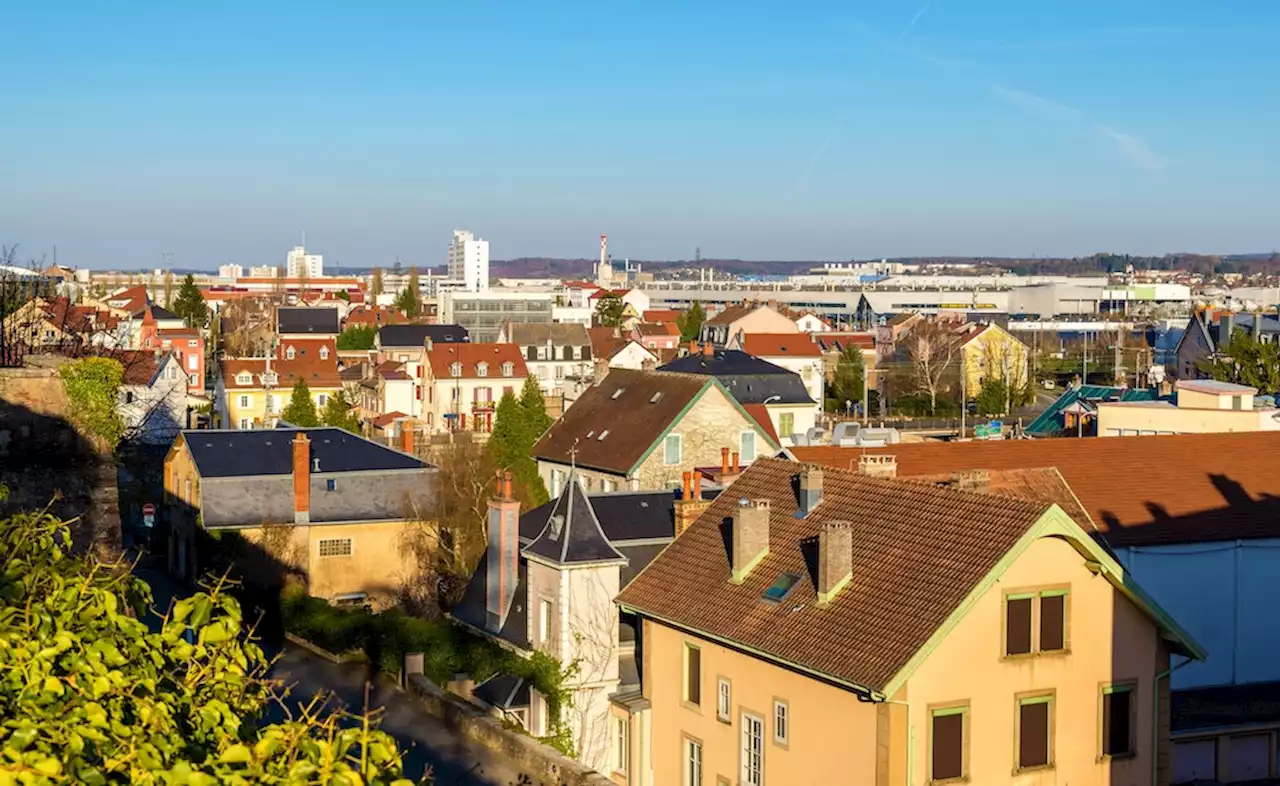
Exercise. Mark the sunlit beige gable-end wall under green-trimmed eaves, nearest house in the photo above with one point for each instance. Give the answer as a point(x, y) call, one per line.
point(1110, 641)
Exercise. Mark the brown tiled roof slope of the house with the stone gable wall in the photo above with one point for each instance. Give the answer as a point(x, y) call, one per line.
point(630, 422)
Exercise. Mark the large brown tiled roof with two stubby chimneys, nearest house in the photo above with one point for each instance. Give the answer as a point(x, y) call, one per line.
point(918, 552)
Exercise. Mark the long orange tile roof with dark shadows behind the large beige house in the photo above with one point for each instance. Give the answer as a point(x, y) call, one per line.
point(1141, 491)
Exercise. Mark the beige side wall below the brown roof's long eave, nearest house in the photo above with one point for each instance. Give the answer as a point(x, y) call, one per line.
point(834, 735)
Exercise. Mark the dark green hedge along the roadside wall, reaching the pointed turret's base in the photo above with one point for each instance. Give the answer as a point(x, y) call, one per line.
point(387, 637)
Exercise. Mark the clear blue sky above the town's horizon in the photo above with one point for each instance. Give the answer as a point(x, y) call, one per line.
point(222, 131)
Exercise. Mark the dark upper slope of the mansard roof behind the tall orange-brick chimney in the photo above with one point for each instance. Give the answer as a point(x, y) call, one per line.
point(235, 454)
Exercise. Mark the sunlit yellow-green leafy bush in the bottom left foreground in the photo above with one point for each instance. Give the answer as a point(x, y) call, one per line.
point(90, 696)
